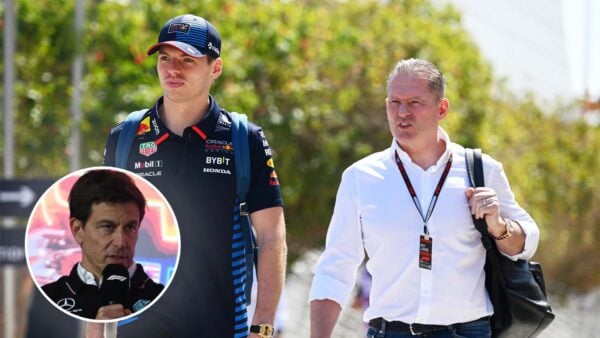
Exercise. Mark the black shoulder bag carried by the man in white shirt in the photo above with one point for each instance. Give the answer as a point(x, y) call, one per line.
point(516, 288)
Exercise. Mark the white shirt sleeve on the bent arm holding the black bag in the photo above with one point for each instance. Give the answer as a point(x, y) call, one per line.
point(495, 178)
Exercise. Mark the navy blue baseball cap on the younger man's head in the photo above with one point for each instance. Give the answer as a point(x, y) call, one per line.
point(191, 34)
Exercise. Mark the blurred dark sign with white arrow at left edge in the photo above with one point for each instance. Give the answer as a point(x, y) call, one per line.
point(17, 197)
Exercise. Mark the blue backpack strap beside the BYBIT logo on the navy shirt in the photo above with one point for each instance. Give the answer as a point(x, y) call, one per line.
point(241, 152)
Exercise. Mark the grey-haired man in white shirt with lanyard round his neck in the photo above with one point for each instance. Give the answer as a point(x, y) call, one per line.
point(409, 210)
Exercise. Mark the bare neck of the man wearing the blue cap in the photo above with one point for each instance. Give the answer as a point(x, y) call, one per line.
point(178, 116)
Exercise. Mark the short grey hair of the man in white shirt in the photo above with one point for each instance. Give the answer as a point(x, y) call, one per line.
point(424, 70)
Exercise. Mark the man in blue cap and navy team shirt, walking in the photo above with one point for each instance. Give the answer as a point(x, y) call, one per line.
point(184, 146)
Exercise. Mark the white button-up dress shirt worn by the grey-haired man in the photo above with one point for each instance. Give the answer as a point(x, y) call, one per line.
point(375, 215)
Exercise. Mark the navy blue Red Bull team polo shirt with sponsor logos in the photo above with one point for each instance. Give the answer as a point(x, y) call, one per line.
point(196, 173)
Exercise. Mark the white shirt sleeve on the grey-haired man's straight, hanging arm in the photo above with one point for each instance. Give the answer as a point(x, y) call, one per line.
point(335, 273)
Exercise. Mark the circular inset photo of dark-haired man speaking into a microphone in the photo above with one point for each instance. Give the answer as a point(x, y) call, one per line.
point(102, 244)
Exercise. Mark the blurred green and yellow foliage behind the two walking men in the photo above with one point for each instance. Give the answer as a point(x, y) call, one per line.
point(313, 74)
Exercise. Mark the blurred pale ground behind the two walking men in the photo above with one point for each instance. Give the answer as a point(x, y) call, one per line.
point(578, 317)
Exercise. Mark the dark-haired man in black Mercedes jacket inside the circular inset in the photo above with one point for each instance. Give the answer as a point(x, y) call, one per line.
point(106, 210)
